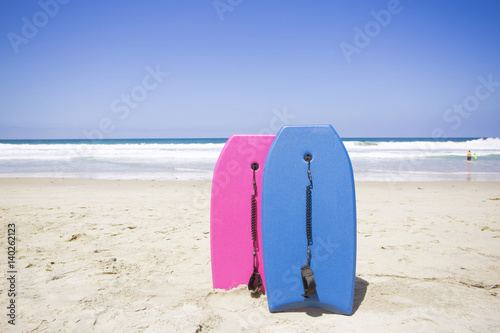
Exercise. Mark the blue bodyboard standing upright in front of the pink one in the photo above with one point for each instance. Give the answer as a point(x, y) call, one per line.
point(284, 239)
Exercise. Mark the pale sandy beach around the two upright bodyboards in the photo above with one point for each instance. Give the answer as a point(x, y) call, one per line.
point(132, 256)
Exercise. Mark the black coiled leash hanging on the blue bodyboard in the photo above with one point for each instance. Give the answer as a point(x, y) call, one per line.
point(307, 273)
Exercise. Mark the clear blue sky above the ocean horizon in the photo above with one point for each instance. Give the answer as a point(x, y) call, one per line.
point(72, 69)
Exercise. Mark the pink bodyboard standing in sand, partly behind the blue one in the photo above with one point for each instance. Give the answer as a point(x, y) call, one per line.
point(230, 214)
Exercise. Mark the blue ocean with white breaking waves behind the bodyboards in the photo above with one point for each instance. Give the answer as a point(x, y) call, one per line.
point(373, 159)
